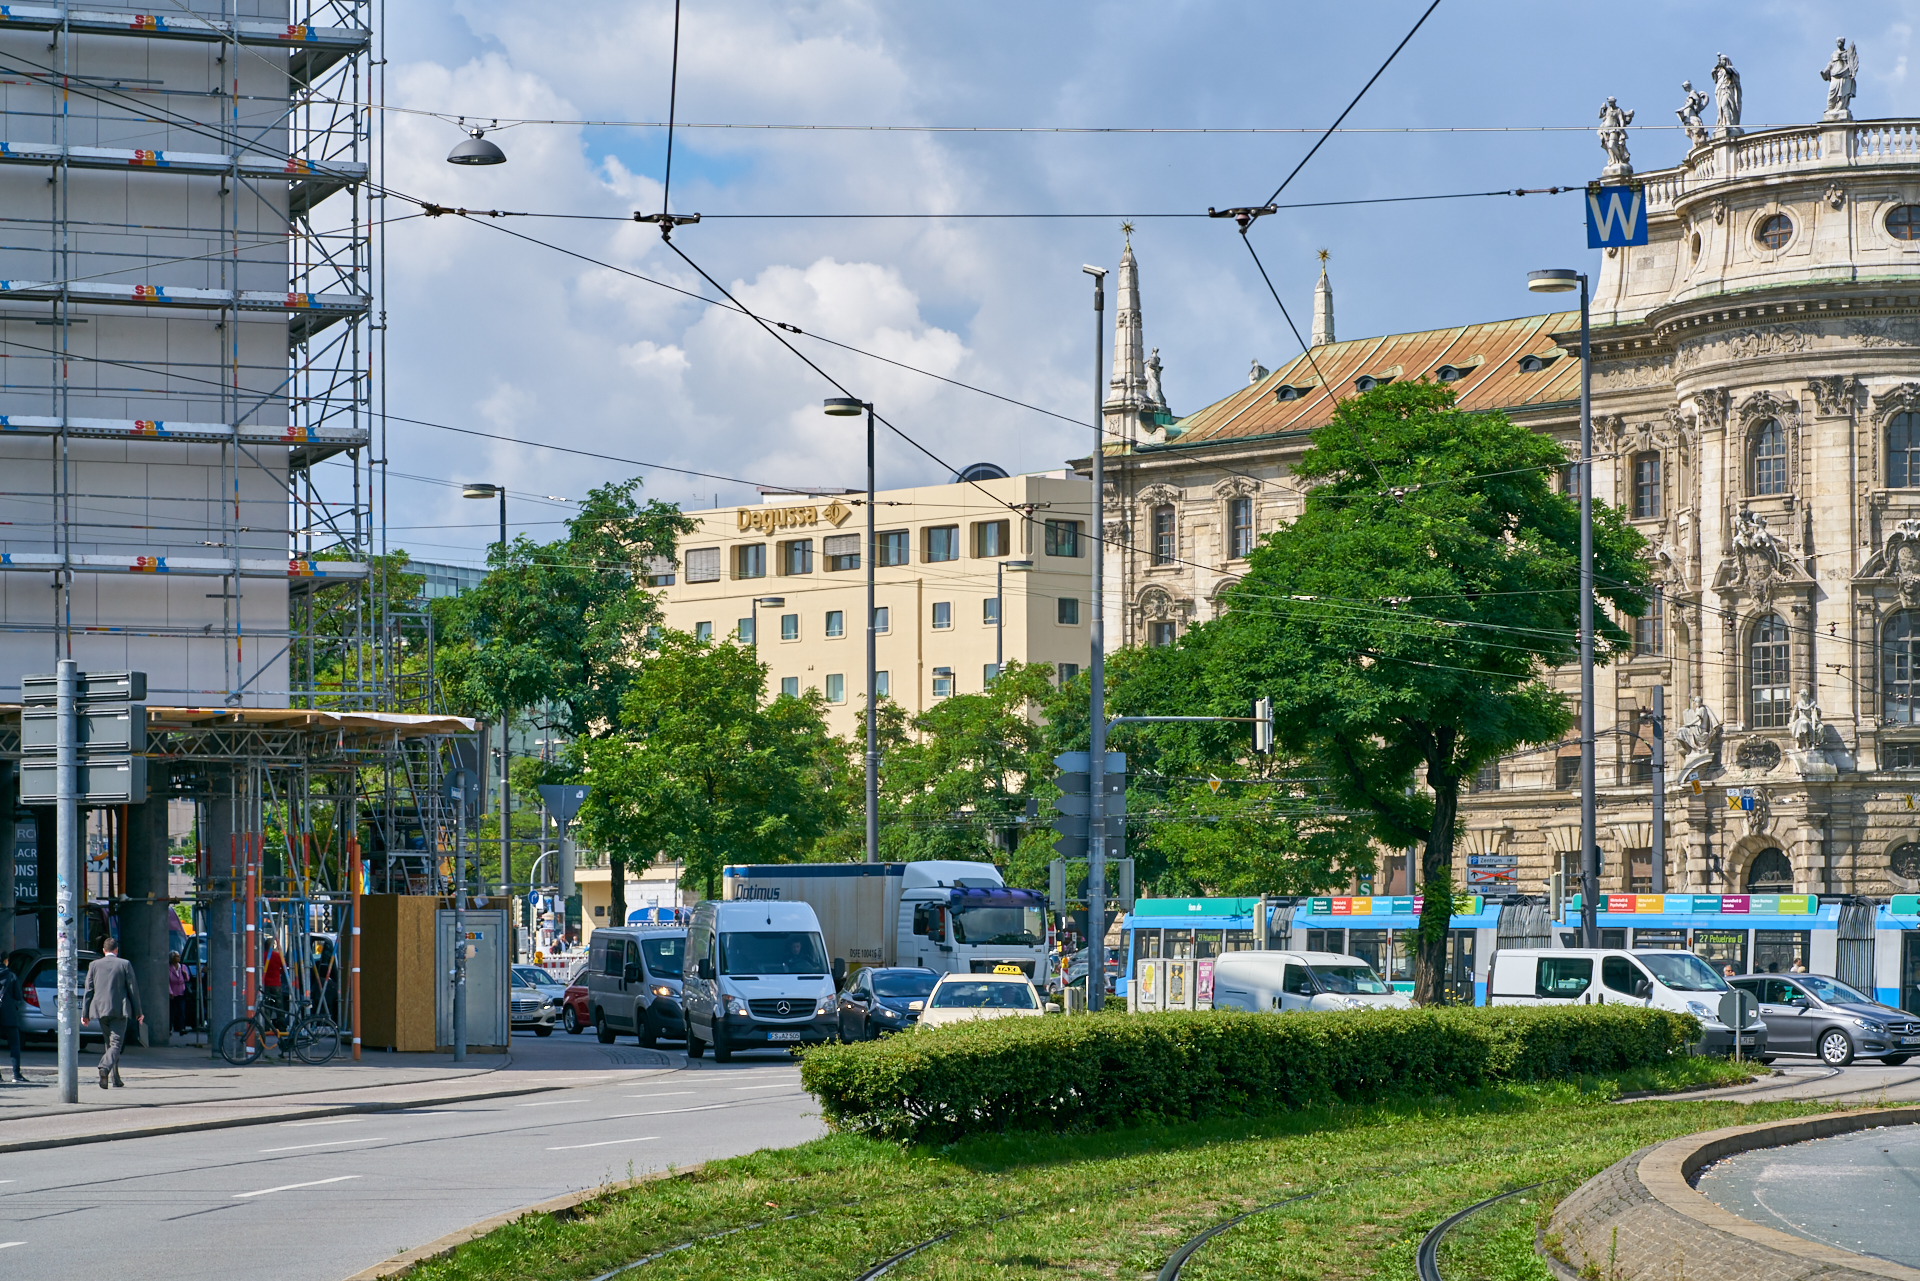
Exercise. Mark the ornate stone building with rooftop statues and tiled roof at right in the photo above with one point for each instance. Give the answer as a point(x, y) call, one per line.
point(1758, 414)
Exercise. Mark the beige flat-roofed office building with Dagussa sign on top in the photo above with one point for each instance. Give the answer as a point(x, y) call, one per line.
point(940, 556)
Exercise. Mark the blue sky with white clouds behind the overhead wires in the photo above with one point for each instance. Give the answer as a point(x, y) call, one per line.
point(498, 327)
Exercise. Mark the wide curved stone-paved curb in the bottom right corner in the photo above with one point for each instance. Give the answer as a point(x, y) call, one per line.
point(1648, 1205)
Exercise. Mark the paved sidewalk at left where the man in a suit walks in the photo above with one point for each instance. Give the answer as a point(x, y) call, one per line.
point(176, 1090)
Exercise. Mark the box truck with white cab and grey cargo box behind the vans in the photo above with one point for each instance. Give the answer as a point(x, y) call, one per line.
point(946, 915)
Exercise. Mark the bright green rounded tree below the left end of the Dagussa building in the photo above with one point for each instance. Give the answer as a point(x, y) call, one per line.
point(702, 769)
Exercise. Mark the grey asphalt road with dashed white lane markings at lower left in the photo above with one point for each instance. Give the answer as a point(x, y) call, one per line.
point(318, 1201)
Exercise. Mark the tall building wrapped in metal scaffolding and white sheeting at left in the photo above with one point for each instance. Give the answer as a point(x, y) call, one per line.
point(191, 470)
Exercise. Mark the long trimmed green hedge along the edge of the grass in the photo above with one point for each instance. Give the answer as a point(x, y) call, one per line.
point(1120, 1069)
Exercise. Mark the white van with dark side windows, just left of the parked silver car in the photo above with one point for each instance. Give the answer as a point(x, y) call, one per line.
point(1658, 979)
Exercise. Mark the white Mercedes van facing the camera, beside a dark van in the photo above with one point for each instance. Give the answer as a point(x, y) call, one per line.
point(757, 977)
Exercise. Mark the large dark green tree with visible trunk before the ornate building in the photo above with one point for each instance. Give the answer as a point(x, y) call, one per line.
point(1408, 619)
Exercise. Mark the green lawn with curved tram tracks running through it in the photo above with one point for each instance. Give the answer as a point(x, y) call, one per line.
point(1115, 1205)
